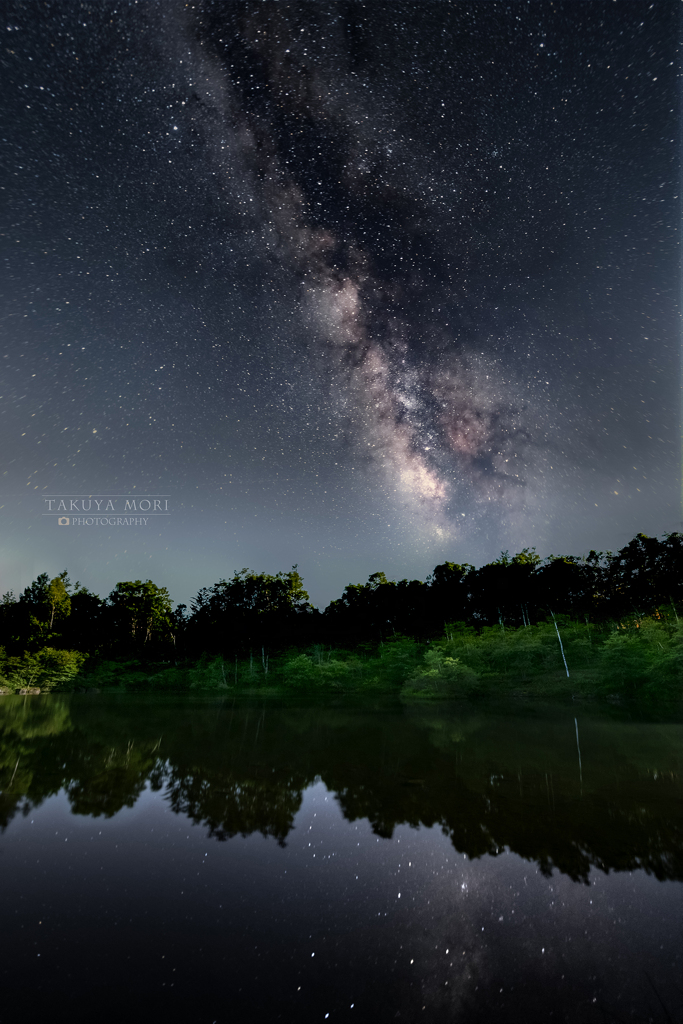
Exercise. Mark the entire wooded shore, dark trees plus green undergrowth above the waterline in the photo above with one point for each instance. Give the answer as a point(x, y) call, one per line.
point(607, 624)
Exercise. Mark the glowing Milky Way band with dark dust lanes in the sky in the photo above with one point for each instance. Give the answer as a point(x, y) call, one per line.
point(349, 218)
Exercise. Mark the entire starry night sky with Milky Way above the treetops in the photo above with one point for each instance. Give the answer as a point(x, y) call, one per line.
point(358, 286)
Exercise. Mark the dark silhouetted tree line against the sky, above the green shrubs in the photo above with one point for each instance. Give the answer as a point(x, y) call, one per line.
point(254, 614)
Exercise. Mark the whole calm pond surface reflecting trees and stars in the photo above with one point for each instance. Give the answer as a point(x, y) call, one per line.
point(201, 861)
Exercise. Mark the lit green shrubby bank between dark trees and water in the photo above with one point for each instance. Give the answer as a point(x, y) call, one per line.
point(643, 657)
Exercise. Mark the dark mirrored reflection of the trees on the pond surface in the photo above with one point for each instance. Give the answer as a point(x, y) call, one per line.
point(491, 782)
